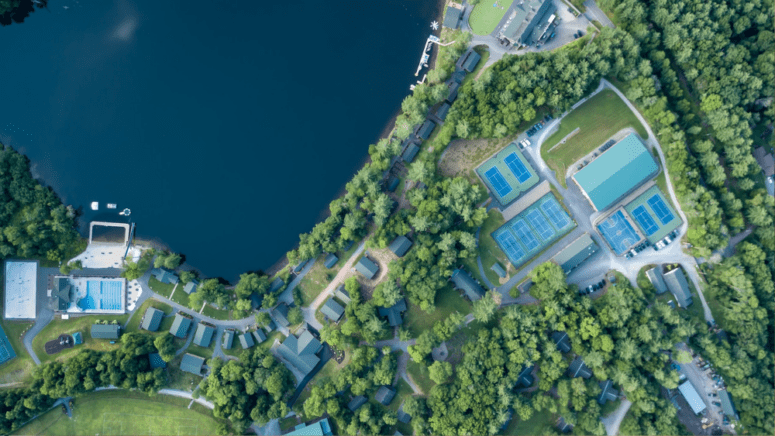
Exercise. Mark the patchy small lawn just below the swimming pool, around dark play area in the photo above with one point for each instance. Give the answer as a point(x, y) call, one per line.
point(69, 326)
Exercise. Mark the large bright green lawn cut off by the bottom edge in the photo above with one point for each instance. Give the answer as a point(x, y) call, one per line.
point(139, 414)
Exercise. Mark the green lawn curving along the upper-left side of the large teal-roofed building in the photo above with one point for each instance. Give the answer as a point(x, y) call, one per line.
point(598, 119)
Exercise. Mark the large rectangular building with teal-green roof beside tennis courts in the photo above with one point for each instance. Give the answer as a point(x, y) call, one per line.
point(617, 172)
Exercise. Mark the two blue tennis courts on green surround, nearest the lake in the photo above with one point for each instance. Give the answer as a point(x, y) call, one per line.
point(507, 174)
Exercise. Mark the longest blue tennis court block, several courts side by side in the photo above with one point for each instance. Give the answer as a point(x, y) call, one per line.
point(533, 230)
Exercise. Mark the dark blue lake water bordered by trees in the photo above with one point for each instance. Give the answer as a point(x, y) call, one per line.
point(226, 126)
